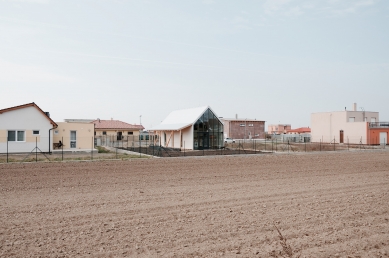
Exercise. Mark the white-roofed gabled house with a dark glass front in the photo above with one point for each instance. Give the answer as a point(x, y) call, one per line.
point(194, 129)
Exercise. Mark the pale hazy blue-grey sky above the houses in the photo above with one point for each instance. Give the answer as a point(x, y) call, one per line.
point(276, 60)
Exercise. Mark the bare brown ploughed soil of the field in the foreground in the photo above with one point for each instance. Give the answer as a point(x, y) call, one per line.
point(325, 204)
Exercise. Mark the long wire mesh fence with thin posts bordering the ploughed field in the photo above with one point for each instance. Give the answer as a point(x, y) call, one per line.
point(35, 149)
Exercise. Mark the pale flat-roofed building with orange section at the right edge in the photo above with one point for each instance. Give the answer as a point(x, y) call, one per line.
point(358, 127)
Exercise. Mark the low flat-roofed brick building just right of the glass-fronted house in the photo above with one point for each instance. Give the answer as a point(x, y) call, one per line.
point(243, 128)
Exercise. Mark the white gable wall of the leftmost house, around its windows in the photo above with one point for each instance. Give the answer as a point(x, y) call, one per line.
point(26, 119)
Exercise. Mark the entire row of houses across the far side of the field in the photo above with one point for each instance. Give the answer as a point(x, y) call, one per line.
point(25, 127)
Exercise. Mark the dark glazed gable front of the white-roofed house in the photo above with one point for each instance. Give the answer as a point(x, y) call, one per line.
point(207, 132)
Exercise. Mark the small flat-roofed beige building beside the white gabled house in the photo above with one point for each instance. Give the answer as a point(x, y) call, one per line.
point(74, 135)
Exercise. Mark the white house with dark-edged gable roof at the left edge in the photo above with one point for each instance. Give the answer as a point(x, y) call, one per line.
point(25, 127)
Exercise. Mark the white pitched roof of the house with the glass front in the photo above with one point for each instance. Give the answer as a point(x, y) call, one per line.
point(180, 119)
